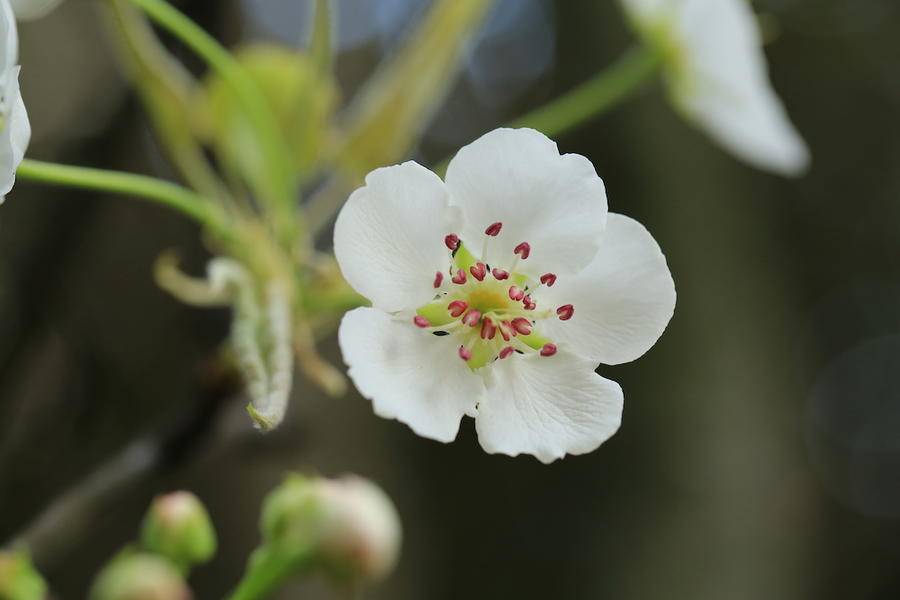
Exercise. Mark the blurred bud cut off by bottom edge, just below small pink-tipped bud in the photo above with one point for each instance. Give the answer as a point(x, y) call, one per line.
point(139, 576)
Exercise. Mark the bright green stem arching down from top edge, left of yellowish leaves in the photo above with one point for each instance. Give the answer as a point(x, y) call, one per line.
point(280, 195)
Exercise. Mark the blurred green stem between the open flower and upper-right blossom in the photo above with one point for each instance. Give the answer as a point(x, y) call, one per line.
point(595, 96)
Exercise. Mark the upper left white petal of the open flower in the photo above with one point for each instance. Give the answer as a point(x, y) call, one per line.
point(389, 237)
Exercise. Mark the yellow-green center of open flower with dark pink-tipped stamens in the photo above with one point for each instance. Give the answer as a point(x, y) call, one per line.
point(491, 309)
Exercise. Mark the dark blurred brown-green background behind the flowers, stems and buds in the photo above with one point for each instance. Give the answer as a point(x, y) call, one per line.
point(759, 455)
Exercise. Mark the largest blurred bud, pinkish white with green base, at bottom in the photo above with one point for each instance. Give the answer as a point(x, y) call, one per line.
point(350, 526)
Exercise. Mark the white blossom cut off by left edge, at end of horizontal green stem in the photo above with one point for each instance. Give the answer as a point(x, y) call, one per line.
point(15, 130)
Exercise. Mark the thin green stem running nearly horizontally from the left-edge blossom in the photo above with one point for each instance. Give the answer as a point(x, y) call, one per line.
point(148, 188)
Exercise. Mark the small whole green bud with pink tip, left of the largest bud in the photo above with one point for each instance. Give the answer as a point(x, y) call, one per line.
point(178, 527)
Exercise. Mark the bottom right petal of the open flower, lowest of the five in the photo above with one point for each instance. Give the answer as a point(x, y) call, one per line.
point(547, 407)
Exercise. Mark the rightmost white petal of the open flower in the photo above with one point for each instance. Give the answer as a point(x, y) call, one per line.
point(623, 300)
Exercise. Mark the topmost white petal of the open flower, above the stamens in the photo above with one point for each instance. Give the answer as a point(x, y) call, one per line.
point(555, 203)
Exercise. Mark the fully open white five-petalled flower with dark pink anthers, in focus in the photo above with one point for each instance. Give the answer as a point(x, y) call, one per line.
point(496, 294)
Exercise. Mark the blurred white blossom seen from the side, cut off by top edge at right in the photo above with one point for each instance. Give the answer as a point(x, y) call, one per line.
point(717, 76)
